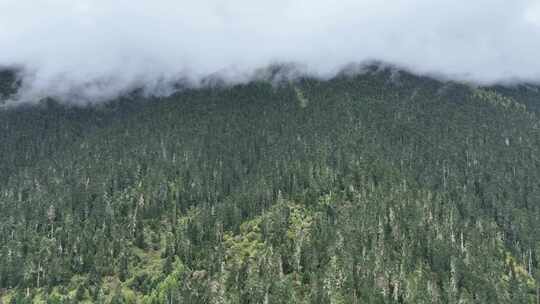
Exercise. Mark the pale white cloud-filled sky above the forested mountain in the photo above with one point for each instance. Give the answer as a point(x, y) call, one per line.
point(100, 48)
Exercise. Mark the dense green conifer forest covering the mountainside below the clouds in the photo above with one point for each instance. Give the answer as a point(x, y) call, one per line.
point(383, 187)
